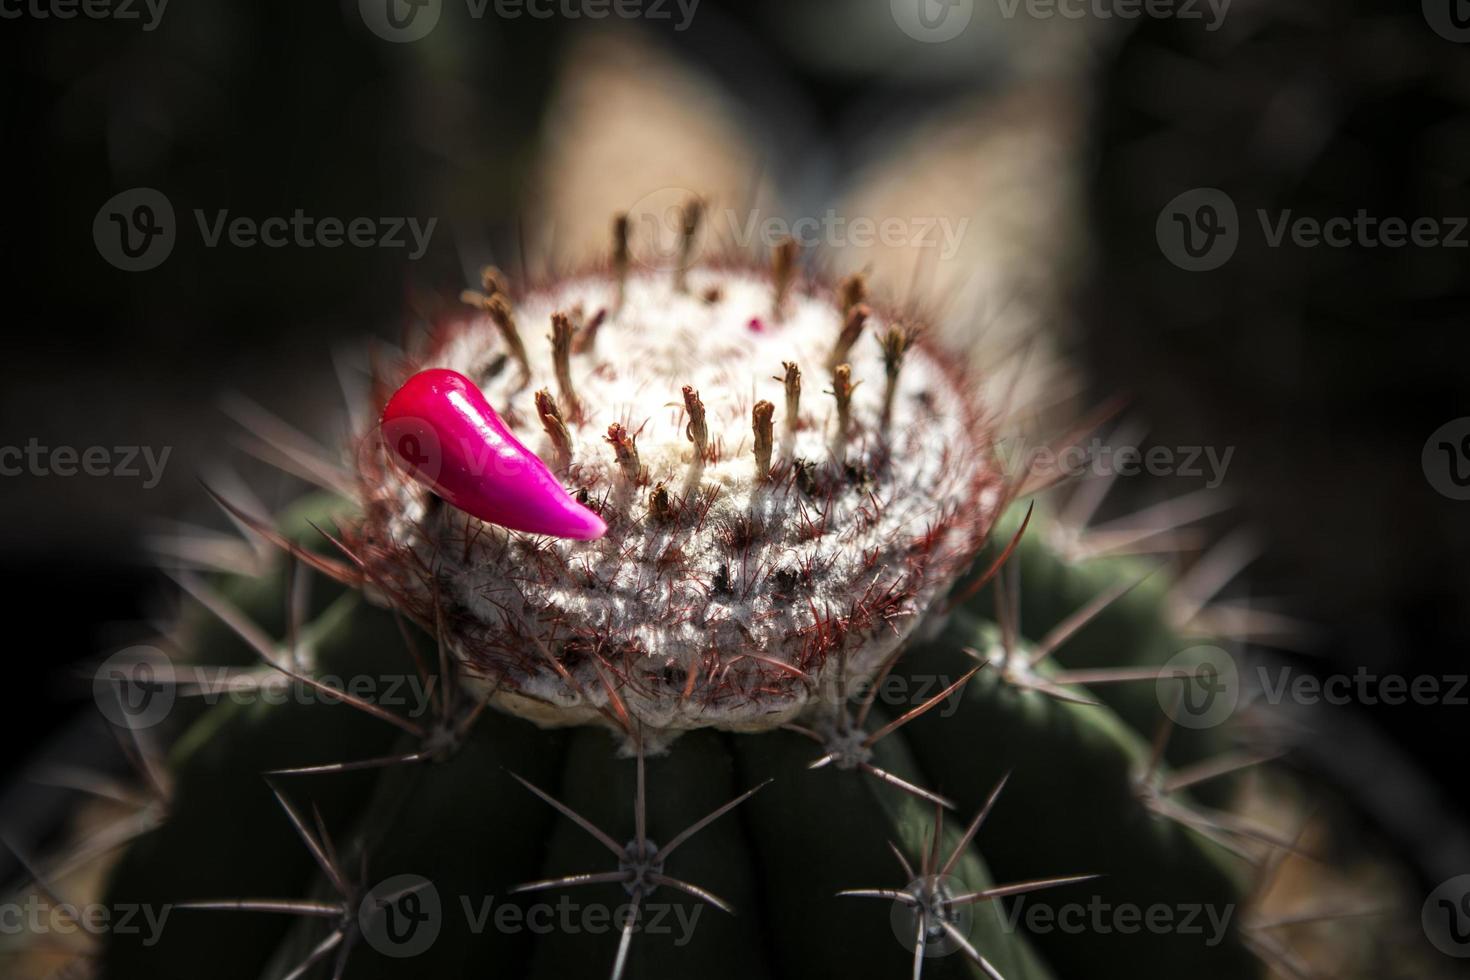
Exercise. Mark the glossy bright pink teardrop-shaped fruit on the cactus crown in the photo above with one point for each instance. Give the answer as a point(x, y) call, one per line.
point(440, 428)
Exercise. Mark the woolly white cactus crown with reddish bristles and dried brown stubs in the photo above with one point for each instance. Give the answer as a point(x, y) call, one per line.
point(759, 559)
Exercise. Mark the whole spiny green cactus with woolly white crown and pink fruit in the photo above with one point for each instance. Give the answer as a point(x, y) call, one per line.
point(659, 546)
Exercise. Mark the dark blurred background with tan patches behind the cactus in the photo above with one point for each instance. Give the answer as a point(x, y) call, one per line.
point(1066, 154)
